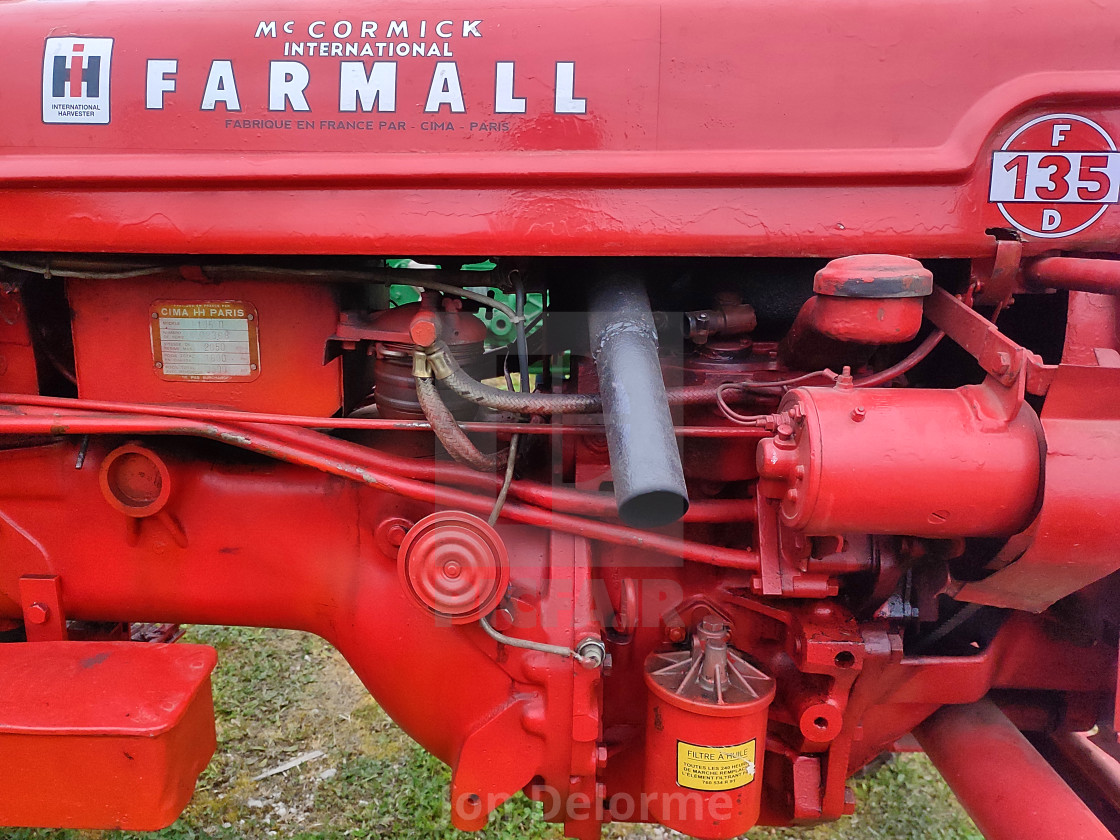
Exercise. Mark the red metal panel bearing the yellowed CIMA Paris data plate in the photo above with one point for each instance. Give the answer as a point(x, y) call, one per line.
point(245, 344)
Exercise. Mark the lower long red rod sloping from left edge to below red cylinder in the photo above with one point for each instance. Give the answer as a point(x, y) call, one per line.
point(363, 465)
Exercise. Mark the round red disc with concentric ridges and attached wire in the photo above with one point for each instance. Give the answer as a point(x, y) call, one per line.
point(455, 566)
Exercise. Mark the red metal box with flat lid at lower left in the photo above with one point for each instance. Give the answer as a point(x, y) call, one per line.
point(104, 734)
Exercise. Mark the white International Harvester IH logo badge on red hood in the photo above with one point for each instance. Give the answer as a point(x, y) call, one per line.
point(76, 80)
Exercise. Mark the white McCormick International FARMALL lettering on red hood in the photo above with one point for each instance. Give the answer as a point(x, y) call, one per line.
point(362, 86)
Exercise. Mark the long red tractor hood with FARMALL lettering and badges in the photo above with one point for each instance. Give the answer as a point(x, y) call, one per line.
point(562, 128)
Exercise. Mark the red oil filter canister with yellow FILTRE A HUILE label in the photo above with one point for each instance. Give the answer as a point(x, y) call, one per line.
point(706, 736)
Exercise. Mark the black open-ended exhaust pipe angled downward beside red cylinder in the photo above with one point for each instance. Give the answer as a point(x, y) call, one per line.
point(645, 460)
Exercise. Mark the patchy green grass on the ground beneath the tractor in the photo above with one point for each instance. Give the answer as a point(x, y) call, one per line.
point(282, 694)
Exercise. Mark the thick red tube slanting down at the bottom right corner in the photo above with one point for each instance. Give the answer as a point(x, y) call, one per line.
point(1007, 788)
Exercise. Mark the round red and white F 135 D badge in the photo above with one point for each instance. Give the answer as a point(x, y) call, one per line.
point(1056, 176)
